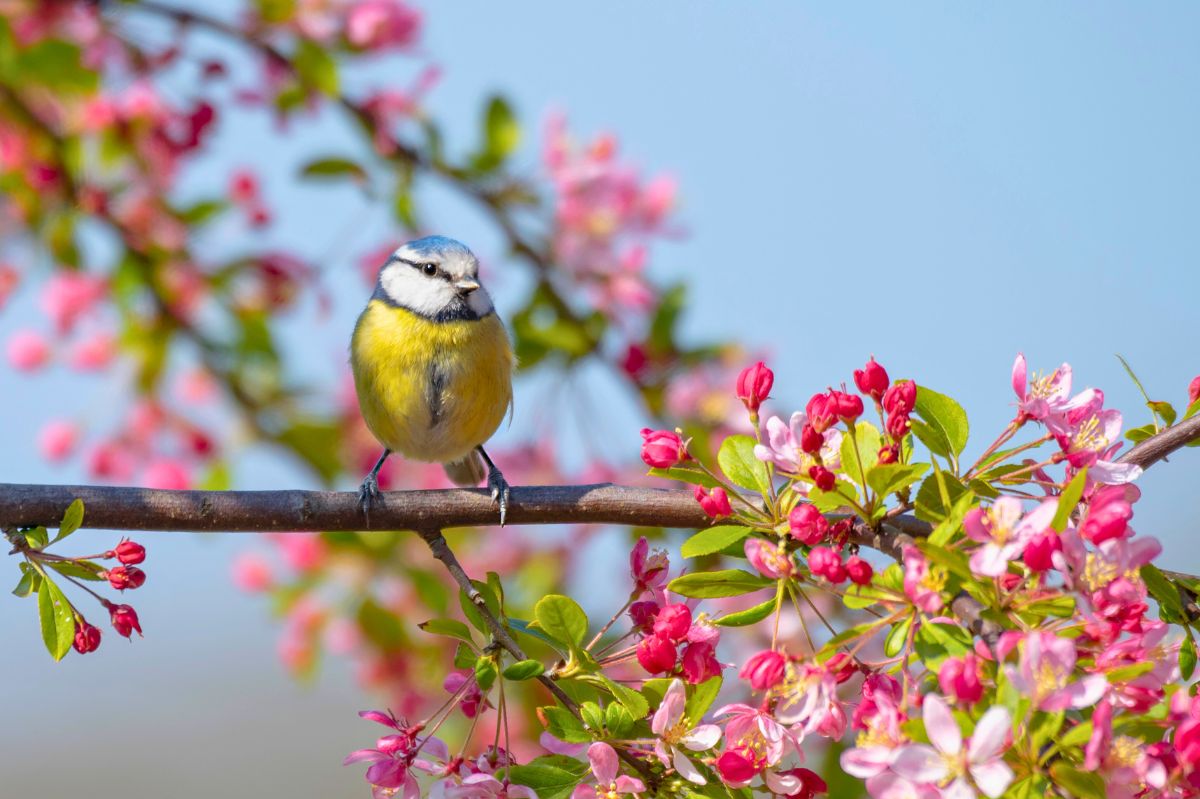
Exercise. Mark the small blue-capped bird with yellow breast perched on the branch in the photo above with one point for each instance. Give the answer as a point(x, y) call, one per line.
point(433, 365)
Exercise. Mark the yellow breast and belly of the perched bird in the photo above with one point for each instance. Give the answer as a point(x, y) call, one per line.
point(431, 391)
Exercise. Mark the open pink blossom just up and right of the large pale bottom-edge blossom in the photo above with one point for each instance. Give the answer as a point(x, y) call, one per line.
point(1047, 666)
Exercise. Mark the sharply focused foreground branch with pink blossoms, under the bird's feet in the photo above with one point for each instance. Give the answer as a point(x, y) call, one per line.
point(1066, 684)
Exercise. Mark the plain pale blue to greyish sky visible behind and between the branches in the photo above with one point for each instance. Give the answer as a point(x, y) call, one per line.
point(940, 187)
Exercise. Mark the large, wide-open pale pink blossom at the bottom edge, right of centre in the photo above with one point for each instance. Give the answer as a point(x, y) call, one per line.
point(947, 765)
